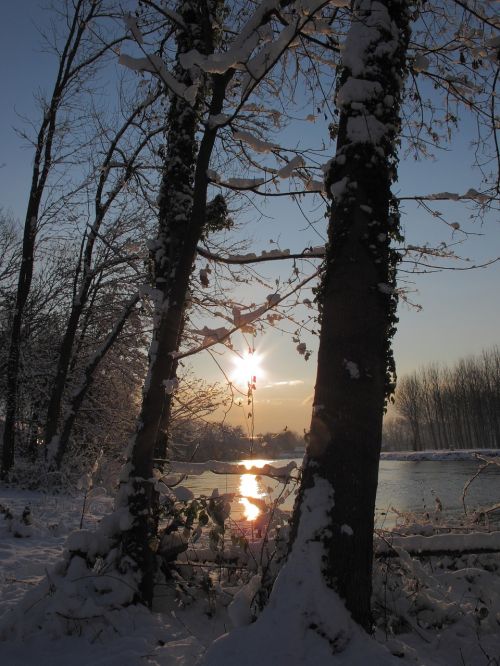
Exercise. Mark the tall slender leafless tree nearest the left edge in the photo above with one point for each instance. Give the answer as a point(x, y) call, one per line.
point(79, 49)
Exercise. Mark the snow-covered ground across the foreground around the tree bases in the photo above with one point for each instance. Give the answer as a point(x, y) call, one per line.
point(442, 610)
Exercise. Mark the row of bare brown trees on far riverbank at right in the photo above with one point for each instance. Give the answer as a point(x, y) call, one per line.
point(448, 408)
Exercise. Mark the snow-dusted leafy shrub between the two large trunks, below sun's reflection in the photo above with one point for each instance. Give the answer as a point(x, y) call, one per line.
point(202, 548)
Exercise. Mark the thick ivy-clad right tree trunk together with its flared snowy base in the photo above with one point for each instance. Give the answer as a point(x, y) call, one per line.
point(329, 564)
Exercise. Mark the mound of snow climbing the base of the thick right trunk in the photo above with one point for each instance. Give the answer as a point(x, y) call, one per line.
point(304, 623)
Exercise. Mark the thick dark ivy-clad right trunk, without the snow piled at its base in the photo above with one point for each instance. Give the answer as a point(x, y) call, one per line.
point(357, 298)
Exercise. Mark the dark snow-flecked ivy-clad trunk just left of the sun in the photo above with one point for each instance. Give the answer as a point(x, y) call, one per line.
point(181, 219)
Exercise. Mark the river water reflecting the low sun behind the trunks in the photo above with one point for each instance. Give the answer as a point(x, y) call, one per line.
point(406, 486)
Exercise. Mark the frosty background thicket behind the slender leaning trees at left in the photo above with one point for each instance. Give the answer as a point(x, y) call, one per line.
point(102, 392)
